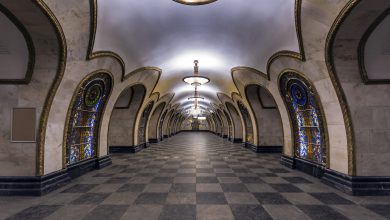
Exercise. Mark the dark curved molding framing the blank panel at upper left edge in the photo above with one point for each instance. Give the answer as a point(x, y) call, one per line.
point(30, 48)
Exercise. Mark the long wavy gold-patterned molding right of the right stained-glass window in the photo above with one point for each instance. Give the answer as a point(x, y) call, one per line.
point(329, 59)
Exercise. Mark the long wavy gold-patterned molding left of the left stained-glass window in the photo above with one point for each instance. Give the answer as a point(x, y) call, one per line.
point(54, 86)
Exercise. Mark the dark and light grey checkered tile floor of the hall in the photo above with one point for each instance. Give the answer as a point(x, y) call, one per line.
point(195, 176)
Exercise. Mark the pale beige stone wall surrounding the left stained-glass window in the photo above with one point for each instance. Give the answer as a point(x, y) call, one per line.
point(75, 15)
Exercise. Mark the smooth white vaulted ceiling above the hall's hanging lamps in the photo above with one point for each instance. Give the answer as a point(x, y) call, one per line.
point(221, 35)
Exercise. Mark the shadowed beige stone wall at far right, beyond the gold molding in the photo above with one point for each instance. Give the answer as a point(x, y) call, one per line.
point(369, 104)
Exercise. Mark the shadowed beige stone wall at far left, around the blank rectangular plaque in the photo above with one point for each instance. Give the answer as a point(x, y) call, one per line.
point(19, 159)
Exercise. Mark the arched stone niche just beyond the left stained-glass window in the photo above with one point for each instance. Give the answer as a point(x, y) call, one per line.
point(122, 122)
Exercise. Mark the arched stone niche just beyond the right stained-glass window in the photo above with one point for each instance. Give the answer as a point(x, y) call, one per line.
point(267, 116)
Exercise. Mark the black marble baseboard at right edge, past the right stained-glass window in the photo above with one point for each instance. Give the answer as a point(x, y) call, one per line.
point(358, 185)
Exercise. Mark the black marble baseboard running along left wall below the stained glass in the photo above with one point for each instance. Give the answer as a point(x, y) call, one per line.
point(41, 185)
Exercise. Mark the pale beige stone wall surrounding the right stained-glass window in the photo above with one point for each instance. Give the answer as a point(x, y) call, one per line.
point(316, 21)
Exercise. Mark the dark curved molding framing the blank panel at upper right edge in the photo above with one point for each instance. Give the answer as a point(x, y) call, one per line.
point(362, 47)
